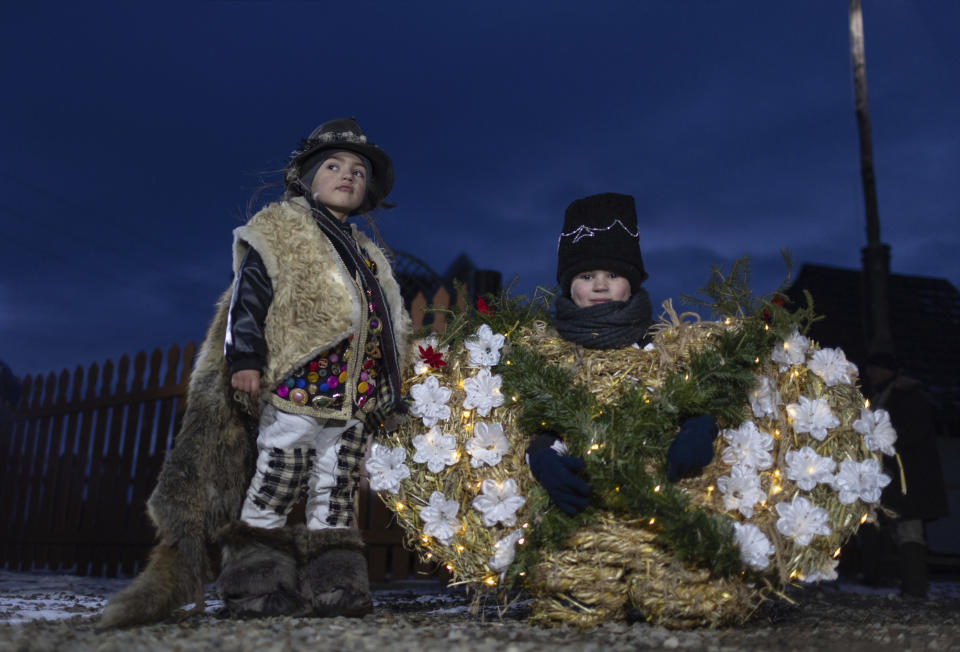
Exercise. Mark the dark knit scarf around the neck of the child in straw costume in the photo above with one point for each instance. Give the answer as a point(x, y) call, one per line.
point(610, 325)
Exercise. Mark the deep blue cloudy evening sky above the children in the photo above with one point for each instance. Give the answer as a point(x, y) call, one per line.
point(133, 139)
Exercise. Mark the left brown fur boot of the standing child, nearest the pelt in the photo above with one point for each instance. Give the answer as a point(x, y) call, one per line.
point(259, 574)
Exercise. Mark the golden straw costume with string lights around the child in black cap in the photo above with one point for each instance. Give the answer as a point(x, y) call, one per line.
point(619, 563)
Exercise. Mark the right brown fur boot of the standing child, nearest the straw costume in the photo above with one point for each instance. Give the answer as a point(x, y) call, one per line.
point(333, 572)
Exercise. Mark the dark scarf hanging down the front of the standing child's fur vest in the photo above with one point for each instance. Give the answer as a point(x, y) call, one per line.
point(341, 236)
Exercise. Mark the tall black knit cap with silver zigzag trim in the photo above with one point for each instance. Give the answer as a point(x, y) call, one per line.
point(600, 232)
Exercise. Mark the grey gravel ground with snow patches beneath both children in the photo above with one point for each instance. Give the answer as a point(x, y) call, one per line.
point(429, 616)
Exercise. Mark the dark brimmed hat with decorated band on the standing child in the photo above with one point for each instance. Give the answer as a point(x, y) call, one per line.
point(342, 134)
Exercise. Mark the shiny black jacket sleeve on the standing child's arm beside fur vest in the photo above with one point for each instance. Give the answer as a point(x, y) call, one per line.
point(245, 346)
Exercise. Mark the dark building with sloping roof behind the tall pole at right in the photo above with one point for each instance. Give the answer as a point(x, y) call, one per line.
point(925, 319)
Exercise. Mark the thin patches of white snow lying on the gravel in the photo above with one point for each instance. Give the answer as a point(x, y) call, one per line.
point(43, 595)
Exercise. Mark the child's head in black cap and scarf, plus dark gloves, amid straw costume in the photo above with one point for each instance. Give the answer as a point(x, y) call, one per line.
point(603, 306)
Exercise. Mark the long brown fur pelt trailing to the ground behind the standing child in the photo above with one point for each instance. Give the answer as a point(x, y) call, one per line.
point(199, 491)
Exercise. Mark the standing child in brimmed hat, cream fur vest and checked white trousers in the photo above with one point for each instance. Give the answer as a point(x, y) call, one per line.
point(304, 355)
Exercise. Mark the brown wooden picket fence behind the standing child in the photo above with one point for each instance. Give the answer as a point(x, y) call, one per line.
point(81, 454)
